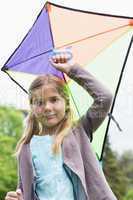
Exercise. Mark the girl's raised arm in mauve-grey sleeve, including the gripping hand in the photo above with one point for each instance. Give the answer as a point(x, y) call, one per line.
point(101, 96)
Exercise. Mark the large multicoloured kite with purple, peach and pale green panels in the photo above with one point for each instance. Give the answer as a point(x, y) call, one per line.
point(99, 42)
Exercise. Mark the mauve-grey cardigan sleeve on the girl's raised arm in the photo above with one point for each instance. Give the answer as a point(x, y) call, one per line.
point(102, 99)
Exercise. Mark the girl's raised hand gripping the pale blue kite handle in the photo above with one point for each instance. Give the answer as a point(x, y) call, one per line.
point(62, 62)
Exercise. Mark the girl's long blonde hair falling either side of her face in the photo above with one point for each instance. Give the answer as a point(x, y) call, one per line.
point(33, 127)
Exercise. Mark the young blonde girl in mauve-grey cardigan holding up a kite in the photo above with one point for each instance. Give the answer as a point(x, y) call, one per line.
point(55, 159)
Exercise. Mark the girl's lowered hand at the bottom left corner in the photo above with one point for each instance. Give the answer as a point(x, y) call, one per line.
point(12, 195)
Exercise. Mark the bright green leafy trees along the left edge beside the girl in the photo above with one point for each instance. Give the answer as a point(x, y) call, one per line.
point(10, 130)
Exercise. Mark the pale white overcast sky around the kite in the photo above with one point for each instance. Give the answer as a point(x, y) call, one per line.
point(17, 17)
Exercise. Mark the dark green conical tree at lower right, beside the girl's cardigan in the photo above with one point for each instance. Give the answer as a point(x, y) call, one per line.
point(114, 173)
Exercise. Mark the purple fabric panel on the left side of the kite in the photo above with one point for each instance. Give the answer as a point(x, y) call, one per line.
point(36, 42)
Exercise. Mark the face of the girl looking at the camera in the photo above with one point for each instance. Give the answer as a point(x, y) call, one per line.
point(48, 106)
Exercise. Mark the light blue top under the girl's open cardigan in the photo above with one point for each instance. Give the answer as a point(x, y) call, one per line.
point(52, 182)
